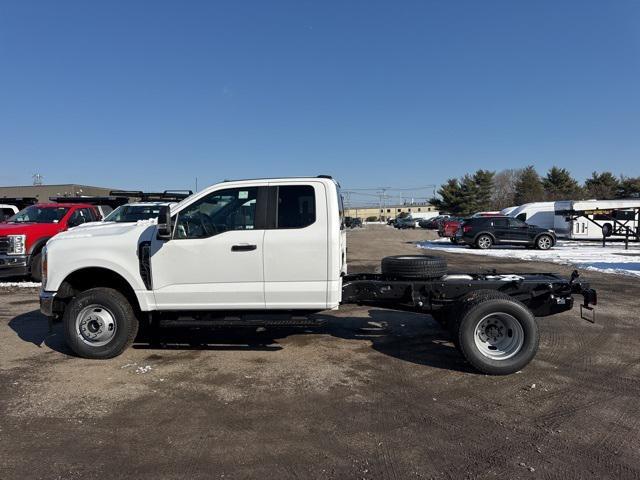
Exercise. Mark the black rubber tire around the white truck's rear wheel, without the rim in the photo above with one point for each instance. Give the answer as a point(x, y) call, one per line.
point(477, 306)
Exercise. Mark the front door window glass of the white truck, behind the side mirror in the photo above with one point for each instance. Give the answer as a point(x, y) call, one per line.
point(218, 212)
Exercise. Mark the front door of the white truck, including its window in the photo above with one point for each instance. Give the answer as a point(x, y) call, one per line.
point(215, 258)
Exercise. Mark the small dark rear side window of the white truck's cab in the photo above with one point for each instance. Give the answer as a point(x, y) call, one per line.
point(296, 206)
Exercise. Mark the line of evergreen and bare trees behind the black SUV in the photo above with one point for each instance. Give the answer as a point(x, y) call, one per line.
point(485, 190)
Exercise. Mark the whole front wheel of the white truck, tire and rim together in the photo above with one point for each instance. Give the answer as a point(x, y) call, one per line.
point(99, 323)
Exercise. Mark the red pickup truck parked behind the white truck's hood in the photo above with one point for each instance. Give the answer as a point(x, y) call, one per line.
point(23, 235)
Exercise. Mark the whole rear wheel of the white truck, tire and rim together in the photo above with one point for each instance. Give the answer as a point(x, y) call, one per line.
point(495, 333)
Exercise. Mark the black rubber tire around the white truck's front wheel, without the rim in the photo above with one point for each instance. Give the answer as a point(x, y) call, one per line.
point(126, 323)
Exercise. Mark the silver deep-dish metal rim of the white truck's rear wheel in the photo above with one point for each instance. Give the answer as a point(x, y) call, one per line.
point(499, 336)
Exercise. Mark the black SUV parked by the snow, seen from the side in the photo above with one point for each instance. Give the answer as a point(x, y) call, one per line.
point(484, 232)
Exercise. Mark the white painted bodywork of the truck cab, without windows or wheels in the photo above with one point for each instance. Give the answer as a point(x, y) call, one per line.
point(293, 269)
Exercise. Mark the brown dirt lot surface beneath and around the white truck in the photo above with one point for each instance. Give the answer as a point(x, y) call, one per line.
point(345, 400)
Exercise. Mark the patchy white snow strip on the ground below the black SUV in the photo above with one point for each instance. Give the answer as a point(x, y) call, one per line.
point(587, 255)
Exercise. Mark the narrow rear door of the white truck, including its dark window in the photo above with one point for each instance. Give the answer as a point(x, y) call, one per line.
point(296, 247)
